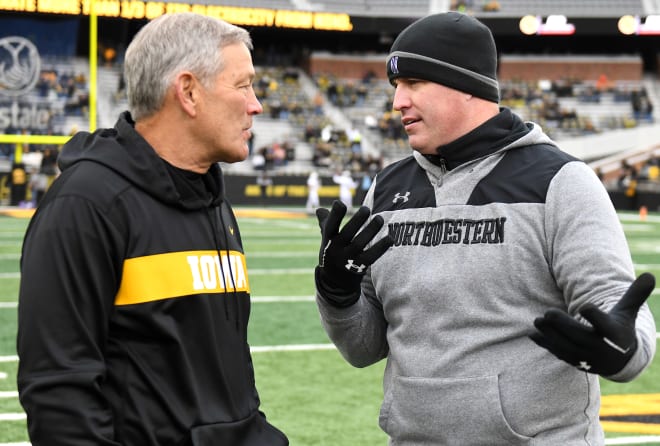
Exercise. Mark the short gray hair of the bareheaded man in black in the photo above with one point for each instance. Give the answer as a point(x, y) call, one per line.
point(168, 45)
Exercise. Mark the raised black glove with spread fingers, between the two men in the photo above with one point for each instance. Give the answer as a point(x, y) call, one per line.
point(343, 261)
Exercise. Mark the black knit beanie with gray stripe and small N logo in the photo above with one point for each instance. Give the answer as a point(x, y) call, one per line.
point(452, 49)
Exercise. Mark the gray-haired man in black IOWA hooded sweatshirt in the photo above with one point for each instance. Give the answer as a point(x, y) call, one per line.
point(134, 303)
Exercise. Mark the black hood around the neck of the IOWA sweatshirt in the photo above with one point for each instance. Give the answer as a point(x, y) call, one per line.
point(126, 152)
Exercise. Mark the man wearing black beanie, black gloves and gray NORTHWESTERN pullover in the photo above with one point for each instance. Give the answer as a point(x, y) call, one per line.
point(500, 287)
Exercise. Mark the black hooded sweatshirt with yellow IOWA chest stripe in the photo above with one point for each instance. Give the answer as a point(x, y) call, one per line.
point(134, 305)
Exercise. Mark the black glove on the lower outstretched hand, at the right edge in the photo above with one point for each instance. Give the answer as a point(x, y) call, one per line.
point(607, 345)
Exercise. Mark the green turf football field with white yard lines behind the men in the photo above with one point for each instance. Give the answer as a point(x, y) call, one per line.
point(306, 388)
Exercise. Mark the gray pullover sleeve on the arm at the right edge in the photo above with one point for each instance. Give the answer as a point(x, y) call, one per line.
point(589, 255)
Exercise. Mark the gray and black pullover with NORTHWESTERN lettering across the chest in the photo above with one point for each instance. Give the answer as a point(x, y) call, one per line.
point(490, 234)
